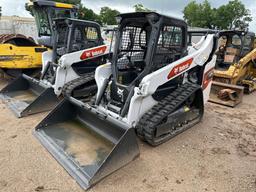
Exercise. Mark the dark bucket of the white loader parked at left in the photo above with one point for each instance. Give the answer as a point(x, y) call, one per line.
point(26, 96)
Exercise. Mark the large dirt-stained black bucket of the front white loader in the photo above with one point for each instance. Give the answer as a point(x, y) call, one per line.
point(88, 145)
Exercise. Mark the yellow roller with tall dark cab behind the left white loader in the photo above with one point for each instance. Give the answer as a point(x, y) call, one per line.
point(20, 54)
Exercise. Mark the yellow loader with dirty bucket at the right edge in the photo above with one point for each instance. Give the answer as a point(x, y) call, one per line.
point(235, 70)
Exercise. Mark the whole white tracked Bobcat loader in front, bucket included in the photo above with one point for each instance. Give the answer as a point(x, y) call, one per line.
point(154, 87)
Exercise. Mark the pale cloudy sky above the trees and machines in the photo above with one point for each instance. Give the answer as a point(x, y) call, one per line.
point(168, 7)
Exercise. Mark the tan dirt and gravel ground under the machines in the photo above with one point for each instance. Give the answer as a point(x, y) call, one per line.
point(218, 154)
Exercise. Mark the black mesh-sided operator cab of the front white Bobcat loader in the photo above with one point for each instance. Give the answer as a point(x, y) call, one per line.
point(145, 42)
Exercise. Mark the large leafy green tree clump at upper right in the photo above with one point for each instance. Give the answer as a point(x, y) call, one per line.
point(232, 15)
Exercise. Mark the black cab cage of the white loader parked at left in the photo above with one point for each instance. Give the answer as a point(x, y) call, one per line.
point(71, 35)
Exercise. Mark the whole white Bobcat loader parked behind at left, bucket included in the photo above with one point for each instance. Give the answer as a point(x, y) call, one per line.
point(68, 69)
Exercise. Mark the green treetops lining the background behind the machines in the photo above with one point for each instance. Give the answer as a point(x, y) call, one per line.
point(231, 15)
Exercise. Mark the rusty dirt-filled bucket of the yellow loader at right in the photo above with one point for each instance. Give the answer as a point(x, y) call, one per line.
point(226, 94)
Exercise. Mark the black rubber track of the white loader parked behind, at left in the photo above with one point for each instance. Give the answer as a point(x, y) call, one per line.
point(70, 86)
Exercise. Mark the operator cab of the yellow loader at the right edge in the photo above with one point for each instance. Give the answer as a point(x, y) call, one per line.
point(233, 45)
